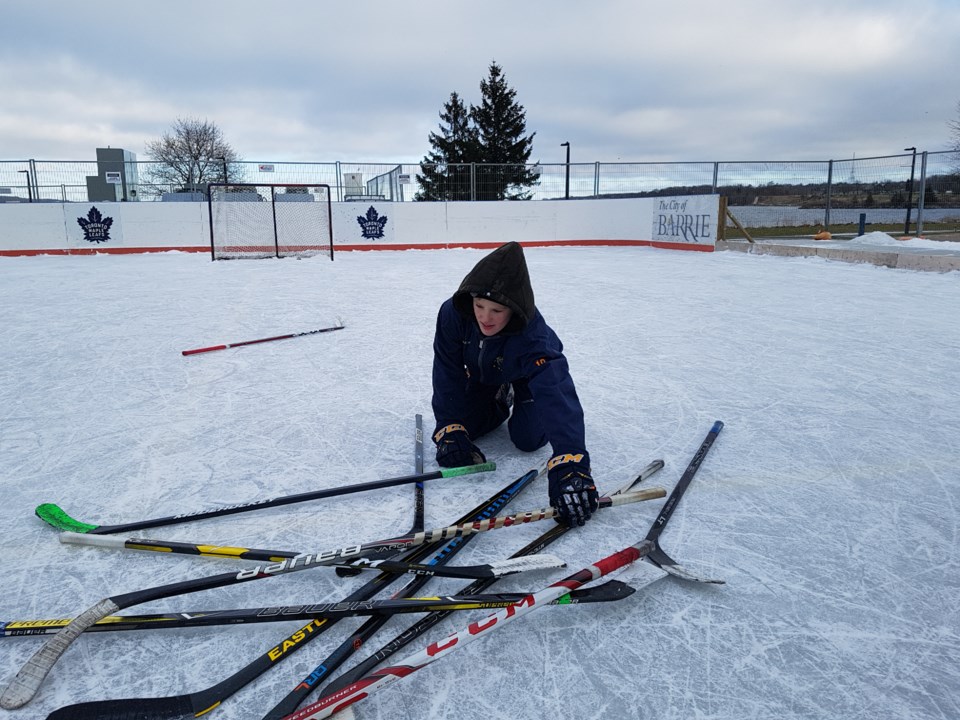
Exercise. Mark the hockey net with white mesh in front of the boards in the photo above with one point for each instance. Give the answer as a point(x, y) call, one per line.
point(269, 220)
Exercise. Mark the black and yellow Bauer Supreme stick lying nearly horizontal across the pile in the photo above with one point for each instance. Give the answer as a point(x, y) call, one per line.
point(608, 592)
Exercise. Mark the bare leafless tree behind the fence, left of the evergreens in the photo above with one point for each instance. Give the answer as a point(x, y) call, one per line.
point(193, 154)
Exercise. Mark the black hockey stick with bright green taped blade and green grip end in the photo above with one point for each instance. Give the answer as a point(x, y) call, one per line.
point(53, 515)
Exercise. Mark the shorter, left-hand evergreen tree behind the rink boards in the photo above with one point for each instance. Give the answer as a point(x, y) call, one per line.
point(445, 170)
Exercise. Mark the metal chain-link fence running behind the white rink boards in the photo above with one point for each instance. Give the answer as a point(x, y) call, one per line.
point(920, 188)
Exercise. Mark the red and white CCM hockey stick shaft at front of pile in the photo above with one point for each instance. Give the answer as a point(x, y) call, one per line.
point(436, 650)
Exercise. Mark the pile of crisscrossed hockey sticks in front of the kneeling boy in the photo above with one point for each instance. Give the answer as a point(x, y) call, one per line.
point(423, 553)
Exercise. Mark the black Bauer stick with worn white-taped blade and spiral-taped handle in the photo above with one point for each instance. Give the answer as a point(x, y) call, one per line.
point(28, 680)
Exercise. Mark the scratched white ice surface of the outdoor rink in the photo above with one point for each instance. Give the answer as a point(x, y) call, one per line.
point(829, 502)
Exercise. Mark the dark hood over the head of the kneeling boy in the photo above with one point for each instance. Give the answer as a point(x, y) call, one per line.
point(502, 277)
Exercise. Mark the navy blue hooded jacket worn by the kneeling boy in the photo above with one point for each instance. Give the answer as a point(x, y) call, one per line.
point(526, 349)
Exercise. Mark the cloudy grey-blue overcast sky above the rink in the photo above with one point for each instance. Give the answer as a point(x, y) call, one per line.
point(364, 80)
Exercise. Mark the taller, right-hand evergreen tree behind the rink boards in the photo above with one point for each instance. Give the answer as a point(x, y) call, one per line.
point(503, 148)
